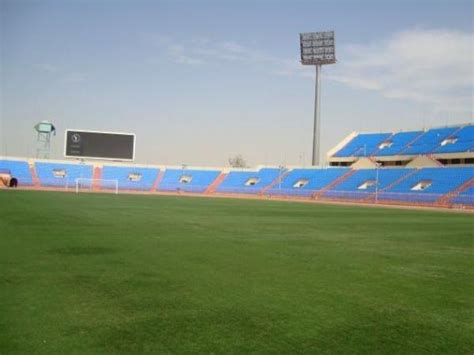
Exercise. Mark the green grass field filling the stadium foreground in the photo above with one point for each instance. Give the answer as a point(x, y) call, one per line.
point(97, 273)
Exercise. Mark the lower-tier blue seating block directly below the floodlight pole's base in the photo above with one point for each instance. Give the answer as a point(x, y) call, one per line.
point(305, 182)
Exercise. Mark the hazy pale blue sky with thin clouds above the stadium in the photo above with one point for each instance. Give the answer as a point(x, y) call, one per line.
point(198, 81)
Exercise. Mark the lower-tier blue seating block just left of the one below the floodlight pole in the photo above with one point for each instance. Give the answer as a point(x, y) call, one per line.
point(250, 182)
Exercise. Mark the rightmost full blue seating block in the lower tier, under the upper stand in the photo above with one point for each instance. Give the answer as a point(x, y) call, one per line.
point(439, 181)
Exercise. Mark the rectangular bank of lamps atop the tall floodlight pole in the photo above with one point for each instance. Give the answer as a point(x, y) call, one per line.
point(317, 48)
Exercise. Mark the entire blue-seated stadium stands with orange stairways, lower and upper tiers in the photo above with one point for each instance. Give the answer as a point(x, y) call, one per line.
point(432, 168)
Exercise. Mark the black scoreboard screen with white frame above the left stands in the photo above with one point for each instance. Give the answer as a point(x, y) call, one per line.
point(99, 145)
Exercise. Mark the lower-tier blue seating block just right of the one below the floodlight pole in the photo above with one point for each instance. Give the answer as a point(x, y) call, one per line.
point(362, 183)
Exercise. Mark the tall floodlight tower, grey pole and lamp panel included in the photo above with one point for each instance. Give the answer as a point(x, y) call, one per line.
point(317, 48)
